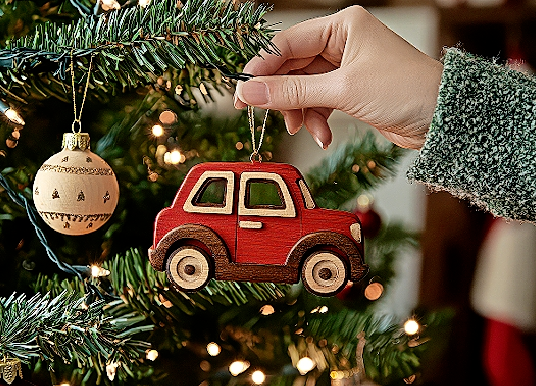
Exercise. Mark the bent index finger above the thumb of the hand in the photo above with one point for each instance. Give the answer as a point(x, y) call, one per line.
point(303, 40)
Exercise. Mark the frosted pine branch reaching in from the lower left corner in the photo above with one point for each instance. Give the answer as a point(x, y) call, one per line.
point(67, 328)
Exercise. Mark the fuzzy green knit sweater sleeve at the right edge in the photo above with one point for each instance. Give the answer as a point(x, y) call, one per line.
point(482, 141)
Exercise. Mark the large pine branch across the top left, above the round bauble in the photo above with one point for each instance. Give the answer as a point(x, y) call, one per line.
point(132, 46)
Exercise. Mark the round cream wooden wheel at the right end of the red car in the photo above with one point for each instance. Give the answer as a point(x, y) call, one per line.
point(324, 273)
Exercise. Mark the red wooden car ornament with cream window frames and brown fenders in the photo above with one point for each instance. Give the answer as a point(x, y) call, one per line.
point(255, 222)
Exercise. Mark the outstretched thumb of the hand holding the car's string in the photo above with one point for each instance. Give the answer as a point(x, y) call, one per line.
point(289, 92)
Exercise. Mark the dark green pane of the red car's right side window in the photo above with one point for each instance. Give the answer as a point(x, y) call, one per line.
point(263, 193)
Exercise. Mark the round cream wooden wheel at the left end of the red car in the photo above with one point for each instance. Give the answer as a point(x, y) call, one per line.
point(188, 268)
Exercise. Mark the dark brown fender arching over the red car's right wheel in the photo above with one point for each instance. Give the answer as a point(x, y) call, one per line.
point(315, 241)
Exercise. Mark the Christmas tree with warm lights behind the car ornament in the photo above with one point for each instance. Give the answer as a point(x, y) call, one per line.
point(90, 309)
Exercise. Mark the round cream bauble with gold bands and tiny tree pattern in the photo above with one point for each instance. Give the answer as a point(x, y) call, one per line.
point(75, 191)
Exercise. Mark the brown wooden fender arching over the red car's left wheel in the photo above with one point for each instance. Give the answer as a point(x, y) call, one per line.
point(200, 233)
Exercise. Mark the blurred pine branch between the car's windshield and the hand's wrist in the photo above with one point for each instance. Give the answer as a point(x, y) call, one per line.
point(359, 165)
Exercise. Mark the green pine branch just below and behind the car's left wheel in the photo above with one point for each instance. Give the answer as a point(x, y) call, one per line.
point(138, 287)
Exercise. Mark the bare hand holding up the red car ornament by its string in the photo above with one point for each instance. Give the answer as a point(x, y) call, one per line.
point(349, 61)
